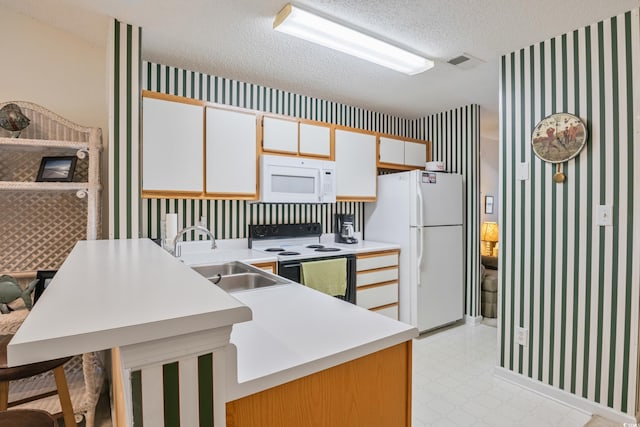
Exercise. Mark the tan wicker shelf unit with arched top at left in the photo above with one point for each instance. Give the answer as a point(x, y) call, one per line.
point(41, 222)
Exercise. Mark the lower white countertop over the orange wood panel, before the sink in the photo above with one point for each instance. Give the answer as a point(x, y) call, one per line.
point(297, 331)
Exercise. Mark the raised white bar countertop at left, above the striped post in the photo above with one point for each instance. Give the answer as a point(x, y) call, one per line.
point(111, 293)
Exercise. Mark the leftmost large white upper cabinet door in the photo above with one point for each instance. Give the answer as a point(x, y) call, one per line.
point(172, 146)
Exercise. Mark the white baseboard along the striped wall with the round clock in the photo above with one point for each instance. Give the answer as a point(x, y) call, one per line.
point(563, 397)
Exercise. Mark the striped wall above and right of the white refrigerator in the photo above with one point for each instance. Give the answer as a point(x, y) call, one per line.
point(455, 137)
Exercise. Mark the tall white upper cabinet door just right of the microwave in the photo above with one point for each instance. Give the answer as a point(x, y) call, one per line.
point(356, 169)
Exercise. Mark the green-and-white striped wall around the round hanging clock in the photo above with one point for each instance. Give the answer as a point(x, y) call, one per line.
point(573, 284)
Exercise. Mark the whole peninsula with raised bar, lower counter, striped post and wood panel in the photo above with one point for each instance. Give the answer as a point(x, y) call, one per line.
point(168, 323)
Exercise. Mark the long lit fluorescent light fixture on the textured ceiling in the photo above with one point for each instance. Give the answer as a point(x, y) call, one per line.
point(305, 25)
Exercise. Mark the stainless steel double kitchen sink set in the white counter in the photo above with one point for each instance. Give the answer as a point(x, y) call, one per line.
point(236, 276)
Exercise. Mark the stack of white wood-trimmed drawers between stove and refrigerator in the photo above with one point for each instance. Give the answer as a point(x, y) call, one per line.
point(377, 282)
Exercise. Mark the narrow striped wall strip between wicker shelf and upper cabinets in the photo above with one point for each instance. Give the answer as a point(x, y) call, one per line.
point(124, 115)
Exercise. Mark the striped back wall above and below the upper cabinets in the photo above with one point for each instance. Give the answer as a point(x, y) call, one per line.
point(229, 218)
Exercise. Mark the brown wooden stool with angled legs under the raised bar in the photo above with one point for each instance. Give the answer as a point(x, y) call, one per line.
point(24, 371)
